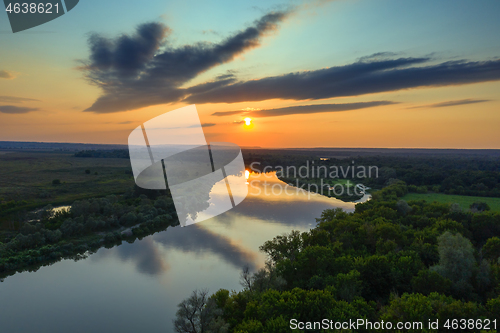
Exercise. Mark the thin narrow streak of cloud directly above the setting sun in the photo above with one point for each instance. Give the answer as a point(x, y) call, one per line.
point(309, 109)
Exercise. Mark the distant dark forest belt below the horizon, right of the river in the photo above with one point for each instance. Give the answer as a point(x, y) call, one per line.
point(449, 175)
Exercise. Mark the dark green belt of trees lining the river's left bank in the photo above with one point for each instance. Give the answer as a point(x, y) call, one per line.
point(46, 236)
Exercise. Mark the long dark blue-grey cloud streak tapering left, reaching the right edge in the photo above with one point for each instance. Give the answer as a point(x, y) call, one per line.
point(355, 79)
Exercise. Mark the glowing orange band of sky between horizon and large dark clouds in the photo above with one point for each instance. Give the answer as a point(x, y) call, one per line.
point(399, 125)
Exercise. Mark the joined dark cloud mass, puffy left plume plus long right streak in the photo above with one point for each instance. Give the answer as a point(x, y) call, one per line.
point(143, 69)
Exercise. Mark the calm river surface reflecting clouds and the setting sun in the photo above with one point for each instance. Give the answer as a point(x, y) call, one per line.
point(136, 287)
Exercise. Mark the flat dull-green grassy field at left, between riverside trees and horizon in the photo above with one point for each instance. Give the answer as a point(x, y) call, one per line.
point(26, 178)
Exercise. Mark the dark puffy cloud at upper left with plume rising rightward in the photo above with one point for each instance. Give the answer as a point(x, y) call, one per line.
point(143, 69)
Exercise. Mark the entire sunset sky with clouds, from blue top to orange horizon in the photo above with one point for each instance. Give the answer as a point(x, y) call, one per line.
point(316, 73)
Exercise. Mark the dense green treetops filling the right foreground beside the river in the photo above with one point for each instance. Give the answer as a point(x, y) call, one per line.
point(390, 260)
